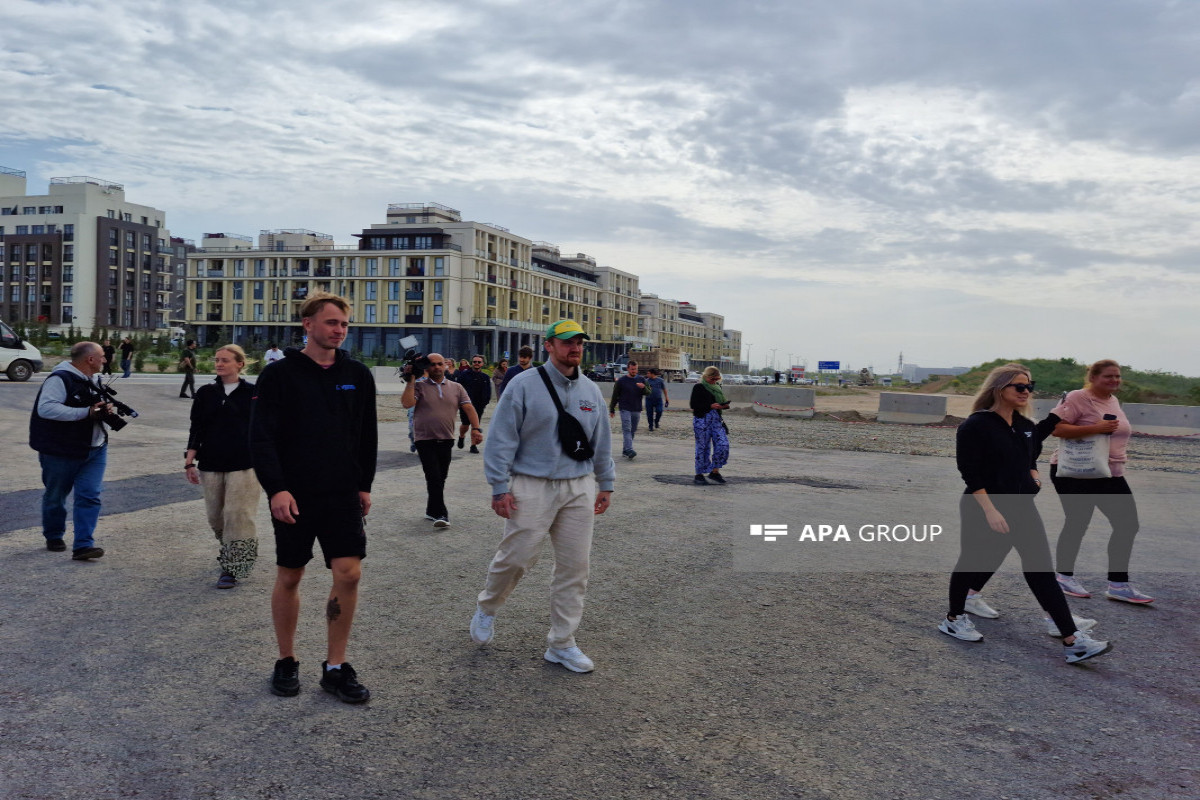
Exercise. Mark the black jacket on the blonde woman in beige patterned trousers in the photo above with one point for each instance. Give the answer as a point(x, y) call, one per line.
point(220, 432)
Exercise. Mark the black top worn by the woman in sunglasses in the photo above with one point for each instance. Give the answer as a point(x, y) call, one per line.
point(998, 458)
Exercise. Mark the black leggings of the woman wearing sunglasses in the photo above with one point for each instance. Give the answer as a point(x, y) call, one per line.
point(985, 551)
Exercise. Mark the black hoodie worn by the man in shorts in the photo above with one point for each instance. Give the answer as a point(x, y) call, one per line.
point(313, 431)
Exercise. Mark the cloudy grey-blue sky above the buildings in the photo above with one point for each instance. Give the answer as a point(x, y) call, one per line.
point(849, 181)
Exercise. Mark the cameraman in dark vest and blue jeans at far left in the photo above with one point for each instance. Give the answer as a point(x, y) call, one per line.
point(67, 430)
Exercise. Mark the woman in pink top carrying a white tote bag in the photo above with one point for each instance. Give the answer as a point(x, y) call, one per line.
point(1088, 412)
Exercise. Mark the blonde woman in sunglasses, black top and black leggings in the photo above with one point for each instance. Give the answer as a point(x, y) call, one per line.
point(997, 449)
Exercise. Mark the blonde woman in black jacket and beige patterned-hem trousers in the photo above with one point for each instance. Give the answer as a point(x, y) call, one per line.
point(219, 459)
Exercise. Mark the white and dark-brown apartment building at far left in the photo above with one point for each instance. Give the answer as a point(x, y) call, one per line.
point(82, 255)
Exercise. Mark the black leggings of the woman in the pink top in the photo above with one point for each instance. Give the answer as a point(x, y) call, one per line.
point(1081, 498)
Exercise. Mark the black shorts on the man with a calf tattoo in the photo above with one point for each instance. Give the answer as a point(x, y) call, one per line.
point(334, 522)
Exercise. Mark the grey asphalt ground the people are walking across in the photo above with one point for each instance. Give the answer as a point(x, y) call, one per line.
point(133, 677)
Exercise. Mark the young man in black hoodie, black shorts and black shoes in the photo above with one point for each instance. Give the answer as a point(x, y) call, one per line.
point(314, 443)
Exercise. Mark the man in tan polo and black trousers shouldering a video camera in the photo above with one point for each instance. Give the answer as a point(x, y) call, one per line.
point(436, 404)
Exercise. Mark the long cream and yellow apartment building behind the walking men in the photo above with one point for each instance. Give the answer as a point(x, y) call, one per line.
point(460, 287)
